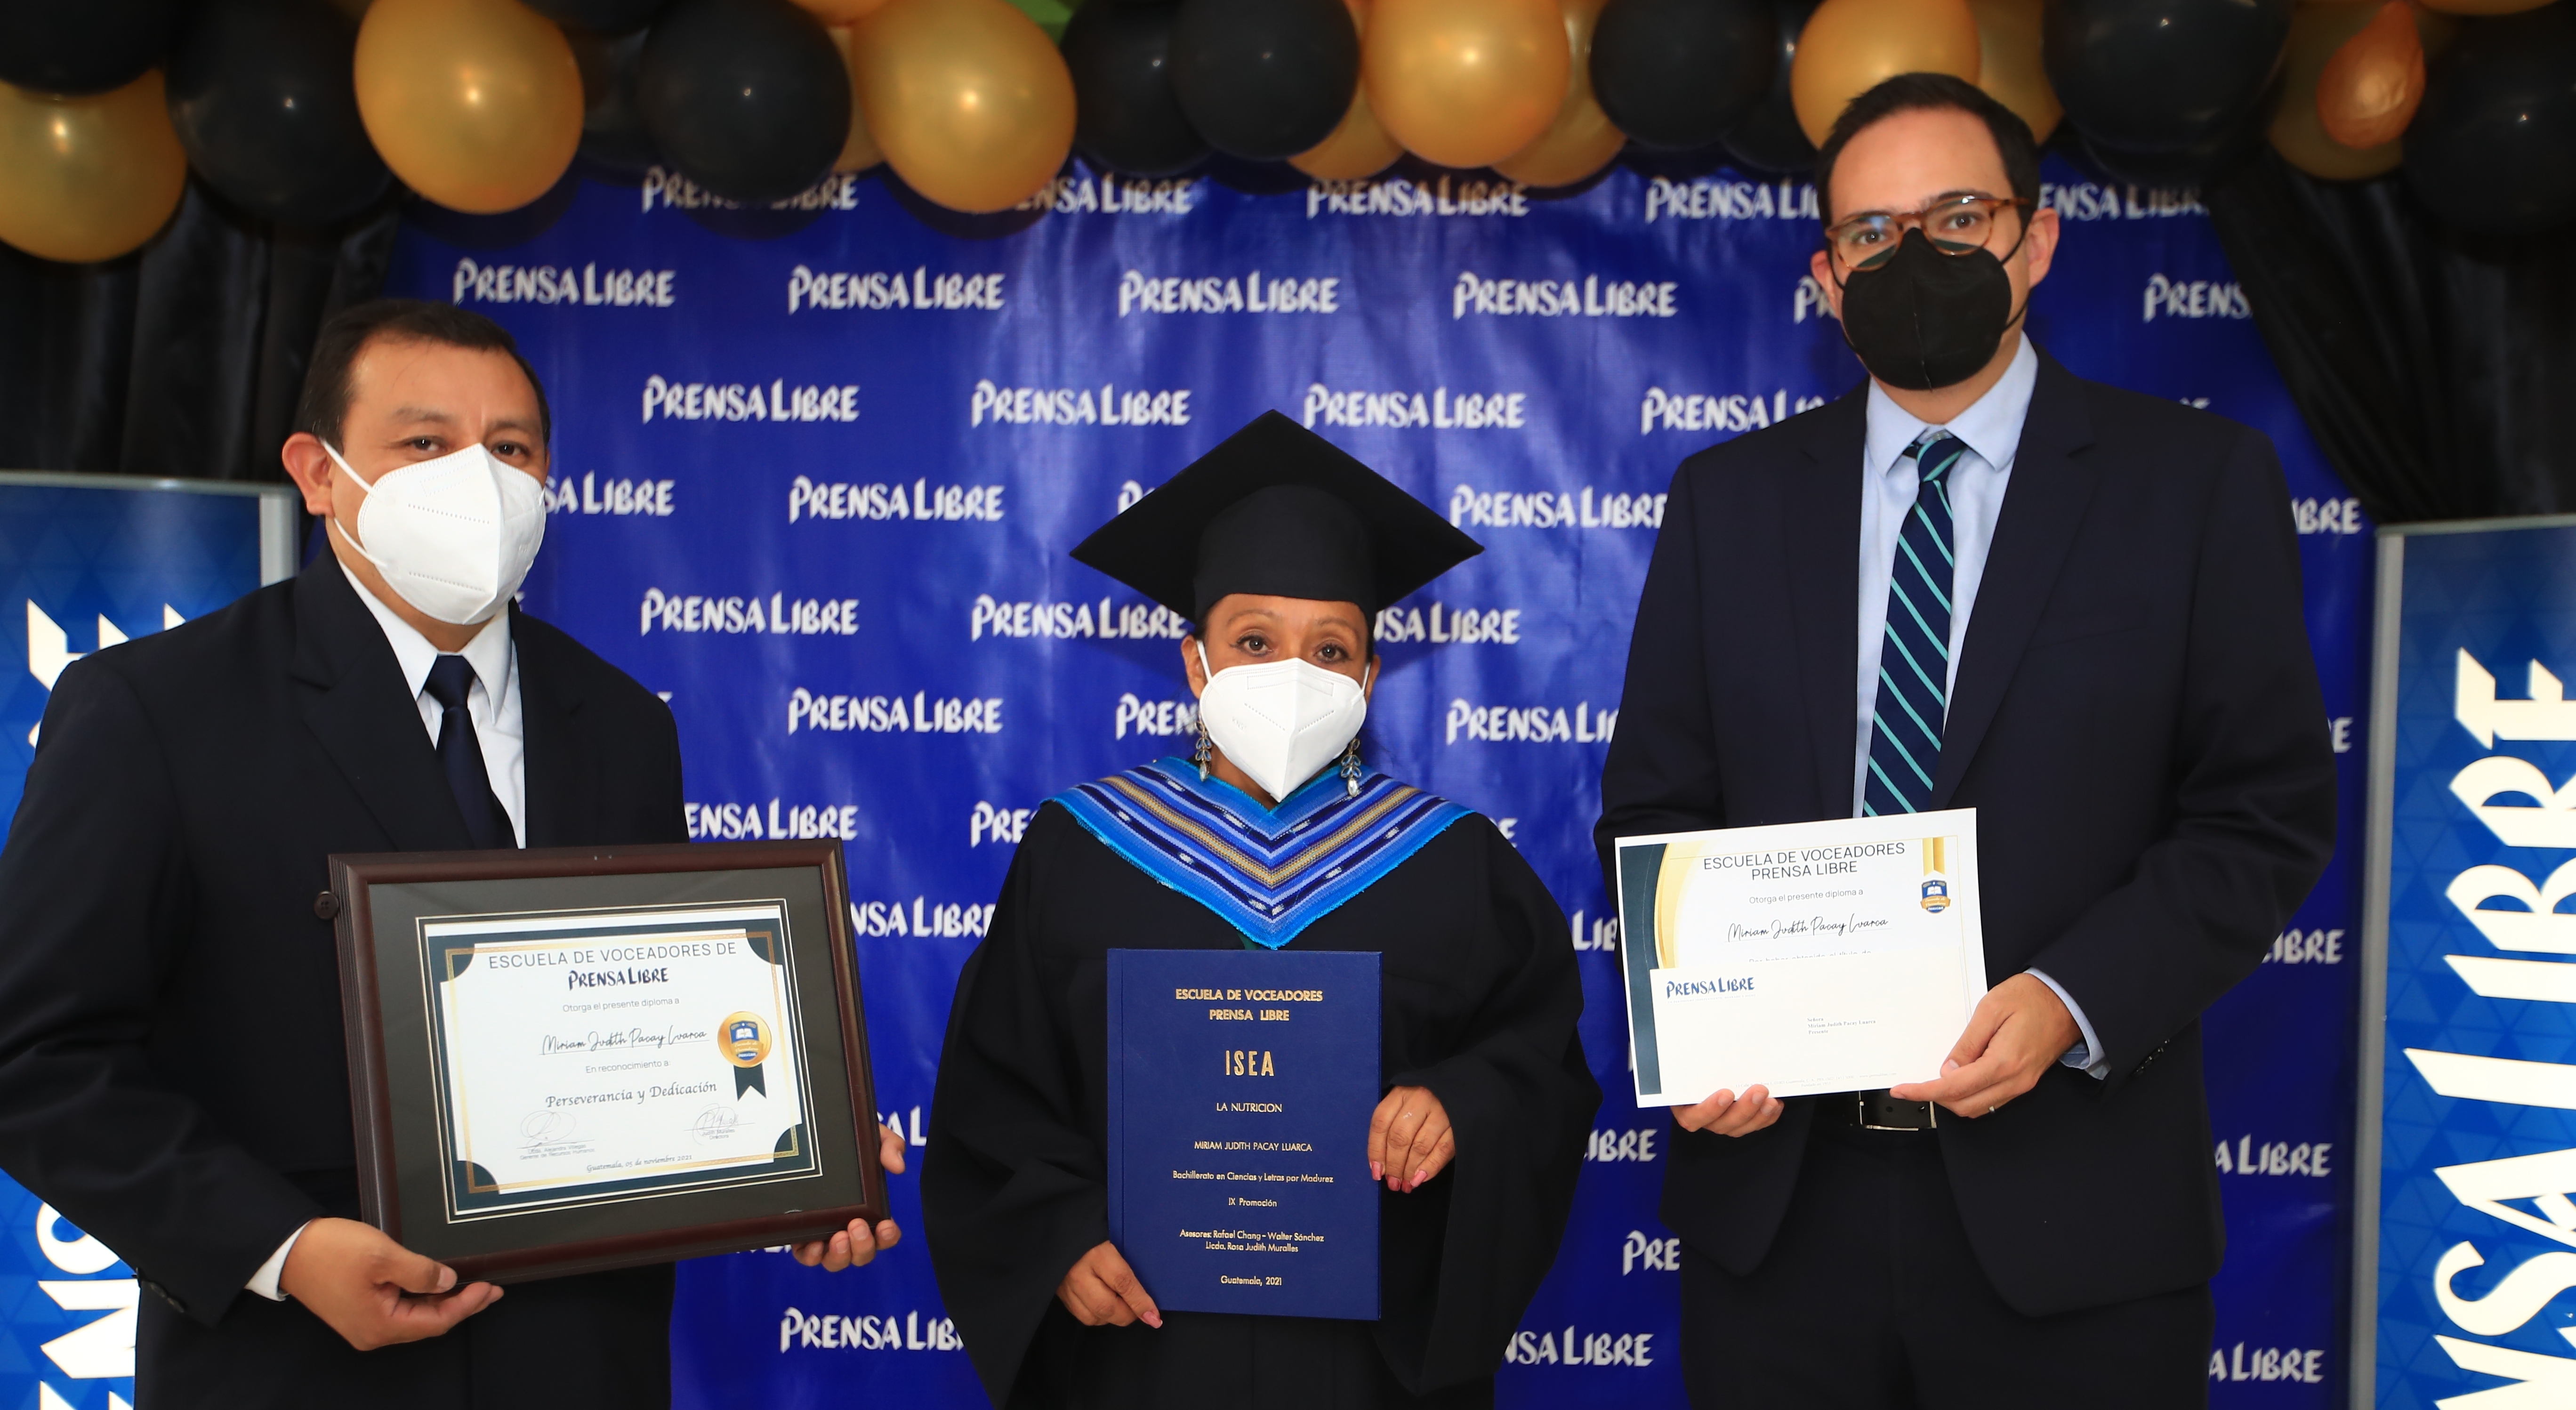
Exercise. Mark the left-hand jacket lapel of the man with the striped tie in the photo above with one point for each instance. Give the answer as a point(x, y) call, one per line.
point(1823, 532)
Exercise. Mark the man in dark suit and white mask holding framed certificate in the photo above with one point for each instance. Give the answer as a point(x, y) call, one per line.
point(171, 1056)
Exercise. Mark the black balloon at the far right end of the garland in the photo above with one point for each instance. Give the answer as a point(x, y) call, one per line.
point(2495, 143)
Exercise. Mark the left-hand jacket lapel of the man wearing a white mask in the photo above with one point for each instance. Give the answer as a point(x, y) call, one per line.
point(354, 702)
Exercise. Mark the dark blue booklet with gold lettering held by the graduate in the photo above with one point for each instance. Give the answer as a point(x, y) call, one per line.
point(1240, 1099)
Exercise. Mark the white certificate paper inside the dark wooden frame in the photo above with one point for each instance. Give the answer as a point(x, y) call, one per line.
point(614, 1056)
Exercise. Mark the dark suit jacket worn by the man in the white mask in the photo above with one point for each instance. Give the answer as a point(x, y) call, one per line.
point(174, 1071)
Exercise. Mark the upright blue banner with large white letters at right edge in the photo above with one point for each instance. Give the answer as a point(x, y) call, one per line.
point(2472, 996)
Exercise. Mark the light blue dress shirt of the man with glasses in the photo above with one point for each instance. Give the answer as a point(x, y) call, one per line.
point(1993, 434)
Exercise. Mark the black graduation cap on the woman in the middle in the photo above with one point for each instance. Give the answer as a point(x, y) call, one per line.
point(1279, 512)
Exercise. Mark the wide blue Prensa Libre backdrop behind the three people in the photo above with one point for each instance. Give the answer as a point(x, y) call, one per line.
point(818, 473)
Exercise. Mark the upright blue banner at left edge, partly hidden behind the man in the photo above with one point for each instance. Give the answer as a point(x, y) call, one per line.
point(91, 561)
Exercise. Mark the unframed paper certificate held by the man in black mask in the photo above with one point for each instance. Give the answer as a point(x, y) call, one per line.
point(1810, 958)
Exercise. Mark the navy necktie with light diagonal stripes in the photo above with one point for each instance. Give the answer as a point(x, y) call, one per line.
point(1915, 653)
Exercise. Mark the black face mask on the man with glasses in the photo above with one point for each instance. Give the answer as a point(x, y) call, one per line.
point(1928, 321)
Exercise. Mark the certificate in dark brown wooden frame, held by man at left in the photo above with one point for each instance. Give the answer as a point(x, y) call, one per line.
point(594, 1058)
